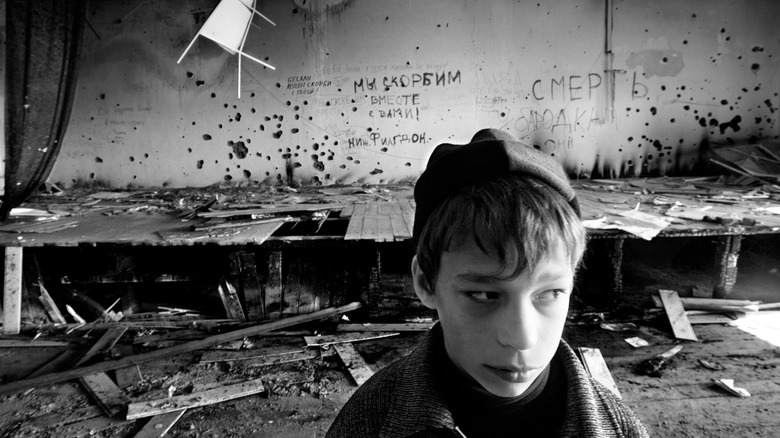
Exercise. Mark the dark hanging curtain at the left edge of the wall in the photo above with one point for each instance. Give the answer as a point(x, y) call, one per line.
point(42, 52)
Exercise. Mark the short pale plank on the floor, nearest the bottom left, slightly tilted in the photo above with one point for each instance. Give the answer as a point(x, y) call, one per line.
point(196, 399)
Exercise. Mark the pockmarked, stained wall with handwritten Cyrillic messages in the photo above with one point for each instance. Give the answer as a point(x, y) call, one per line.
point(364, 89)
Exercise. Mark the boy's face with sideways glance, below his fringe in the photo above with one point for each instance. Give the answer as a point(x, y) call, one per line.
point(501, 332)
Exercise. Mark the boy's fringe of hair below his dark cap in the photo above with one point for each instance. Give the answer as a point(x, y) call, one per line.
point(505, 215)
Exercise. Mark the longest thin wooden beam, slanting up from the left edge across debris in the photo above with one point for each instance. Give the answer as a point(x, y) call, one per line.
point(126, 361)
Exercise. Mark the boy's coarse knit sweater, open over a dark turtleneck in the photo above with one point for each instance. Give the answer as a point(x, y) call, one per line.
point(405, 399)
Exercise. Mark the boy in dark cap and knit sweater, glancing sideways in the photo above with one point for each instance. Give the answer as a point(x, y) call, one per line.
point(499, 239)
